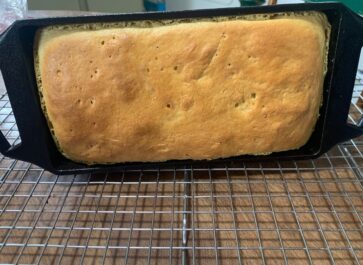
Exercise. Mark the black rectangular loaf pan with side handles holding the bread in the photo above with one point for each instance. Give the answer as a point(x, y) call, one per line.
point(38, 147)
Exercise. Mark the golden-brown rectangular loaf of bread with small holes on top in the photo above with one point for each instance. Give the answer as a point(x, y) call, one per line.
point(183, 89)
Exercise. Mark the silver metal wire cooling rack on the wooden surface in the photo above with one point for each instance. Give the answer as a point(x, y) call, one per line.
point(272, 213)
